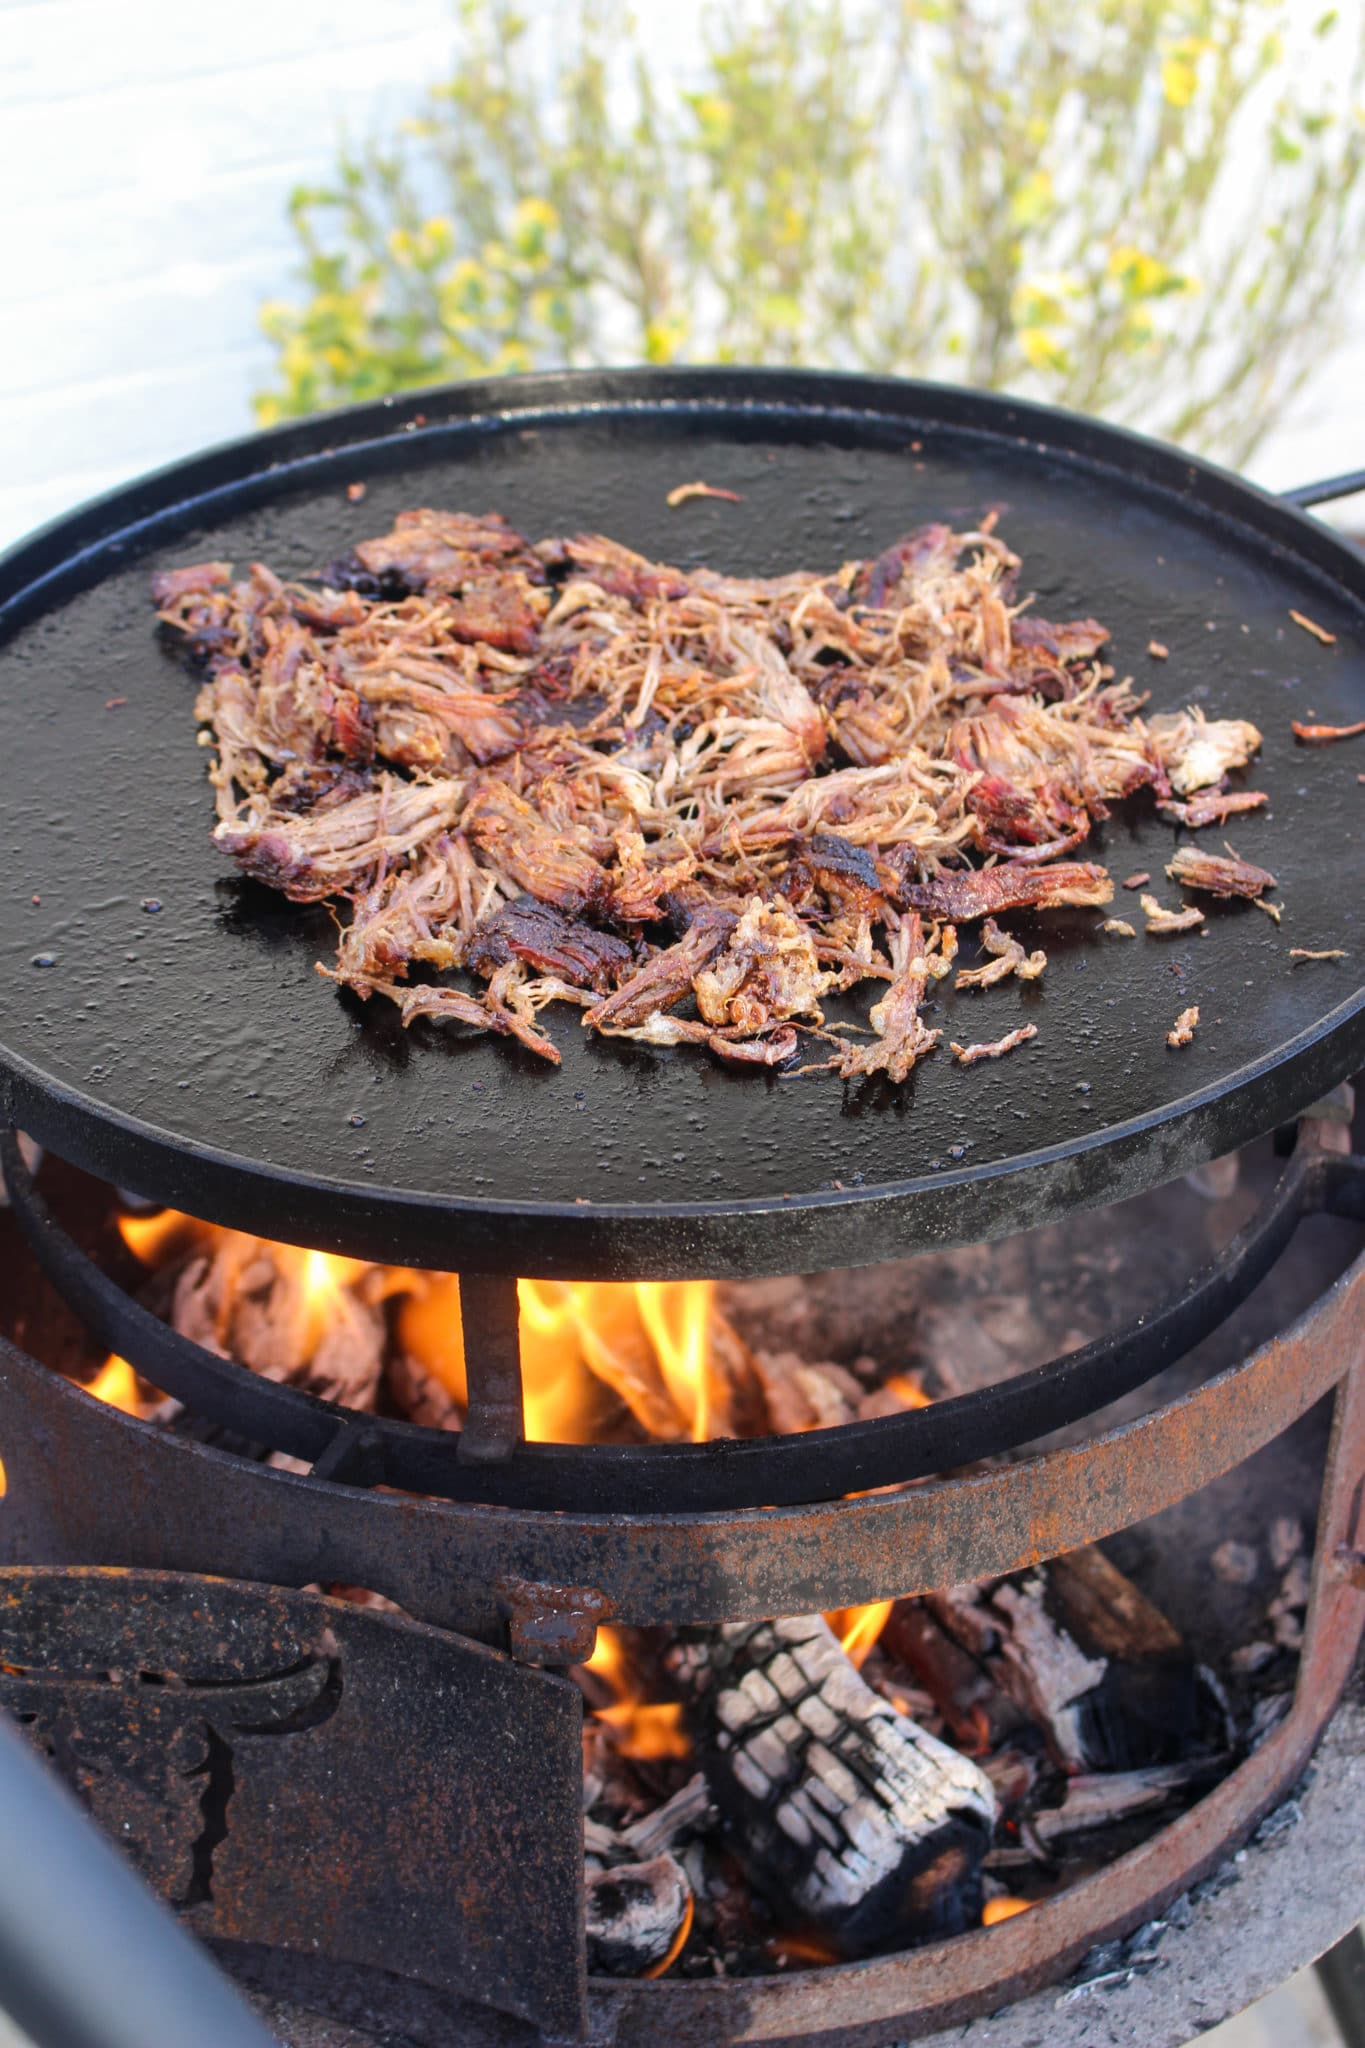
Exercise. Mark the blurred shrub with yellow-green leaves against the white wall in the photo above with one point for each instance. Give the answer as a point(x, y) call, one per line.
point(1137, 208)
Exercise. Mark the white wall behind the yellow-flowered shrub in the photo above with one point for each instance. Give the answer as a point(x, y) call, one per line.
point(146, 157)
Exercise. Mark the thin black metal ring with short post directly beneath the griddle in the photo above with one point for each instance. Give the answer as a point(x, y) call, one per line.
point(725, 1476)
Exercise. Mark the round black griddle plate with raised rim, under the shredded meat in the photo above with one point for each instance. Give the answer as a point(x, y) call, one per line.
point(193, 1054)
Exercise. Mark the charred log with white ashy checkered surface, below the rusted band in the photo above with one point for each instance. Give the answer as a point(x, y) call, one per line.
point(846, 1814)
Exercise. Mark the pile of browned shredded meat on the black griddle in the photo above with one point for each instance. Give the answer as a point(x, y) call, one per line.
point(689, 804)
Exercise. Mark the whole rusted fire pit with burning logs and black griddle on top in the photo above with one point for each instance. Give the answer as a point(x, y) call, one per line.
point(779, 1828)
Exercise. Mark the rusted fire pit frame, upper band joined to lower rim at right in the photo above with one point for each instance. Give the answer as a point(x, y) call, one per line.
point(273, 1527)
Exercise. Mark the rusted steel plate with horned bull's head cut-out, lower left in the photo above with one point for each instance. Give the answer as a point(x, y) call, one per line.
point(300, 1773)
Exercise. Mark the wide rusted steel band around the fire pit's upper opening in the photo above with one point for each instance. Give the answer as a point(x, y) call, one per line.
point(666, 1568)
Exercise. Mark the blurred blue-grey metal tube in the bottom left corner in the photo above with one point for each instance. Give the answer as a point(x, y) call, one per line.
point(89, 1959)
